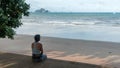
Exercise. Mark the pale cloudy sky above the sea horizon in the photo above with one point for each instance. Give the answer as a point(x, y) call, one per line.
point(76, 5)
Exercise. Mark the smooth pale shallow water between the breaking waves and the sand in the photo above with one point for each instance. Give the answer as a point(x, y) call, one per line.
point(86, 32)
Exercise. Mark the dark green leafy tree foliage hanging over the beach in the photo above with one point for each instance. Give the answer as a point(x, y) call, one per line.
point(11, 12)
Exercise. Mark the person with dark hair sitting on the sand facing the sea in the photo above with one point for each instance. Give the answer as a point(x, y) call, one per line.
point(37, 49)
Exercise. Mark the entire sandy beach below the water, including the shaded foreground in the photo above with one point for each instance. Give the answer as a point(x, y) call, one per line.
point(62, 53)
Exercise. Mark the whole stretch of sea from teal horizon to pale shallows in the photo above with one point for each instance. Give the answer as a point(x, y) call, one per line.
point(87, 26)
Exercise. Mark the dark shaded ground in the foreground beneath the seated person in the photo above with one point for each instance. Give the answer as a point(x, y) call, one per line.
point(10, 60)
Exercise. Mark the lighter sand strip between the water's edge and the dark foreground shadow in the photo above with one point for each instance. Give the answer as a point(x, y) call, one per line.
point(83, 51)
